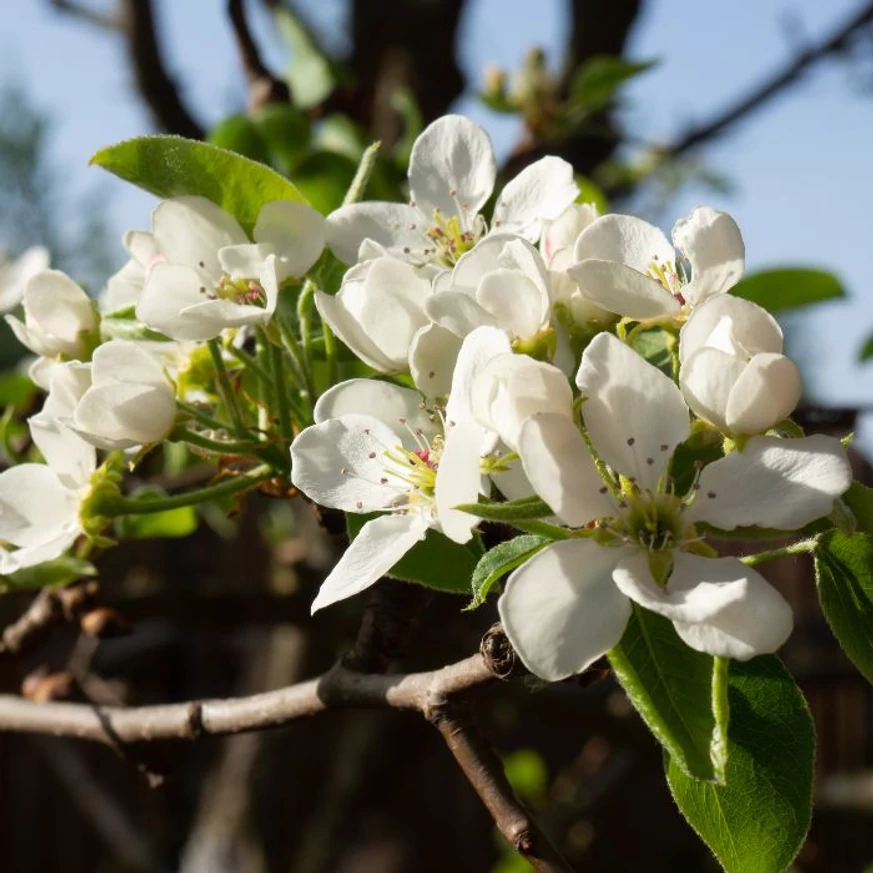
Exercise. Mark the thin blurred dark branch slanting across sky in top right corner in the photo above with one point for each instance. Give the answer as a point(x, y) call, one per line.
point(768, 89)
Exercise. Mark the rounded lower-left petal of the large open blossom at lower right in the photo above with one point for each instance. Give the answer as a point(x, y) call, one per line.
point(561, 609)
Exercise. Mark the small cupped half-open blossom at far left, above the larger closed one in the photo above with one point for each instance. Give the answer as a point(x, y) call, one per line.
point(59, 317)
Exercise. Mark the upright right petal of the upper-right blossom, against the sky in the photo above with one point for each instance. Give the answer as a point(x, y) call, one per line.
point(713, 245)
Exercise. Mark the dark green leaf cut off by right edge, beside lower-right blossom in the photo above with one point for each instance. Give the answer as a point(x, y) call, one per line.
point(844, 574)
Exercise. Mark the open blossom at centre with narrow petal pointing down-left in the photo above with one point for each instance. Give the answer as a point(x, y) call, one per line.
point(377, 447)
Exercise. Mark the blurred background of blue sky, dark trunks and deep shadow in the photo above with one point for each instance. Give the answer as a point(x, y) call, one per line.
point(762, 109)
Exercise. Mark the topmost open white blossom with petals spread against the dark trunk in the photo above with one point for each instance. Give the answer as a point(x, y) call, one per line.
point(452, 171)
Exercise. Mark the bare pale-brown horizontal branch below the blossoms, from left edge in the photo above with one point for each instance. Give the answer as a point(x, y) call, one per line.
point(338, 688)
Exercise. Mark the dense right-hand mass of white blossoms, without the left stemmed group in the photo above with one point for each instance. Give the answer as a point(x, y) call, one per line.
point(523, 337)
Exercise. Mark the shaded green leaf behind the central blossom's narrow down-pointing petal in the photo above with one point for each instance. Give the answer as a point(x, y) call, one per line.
point(435, 562)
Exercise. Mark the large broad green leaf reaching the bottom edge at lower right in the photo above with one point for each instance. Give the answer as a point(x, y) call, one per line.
point(757, 822)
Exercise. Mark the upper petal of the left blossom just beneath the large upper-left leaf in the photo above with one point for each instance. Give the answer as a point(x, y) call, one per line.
point(189, 231)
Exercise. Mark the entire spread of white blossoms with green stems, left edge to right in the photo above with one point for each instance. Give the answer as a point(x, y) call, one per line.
point(534, 356)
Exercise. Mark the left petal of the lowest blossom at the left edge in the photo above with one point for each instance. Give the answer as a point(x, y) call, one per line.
point(35, 507)
